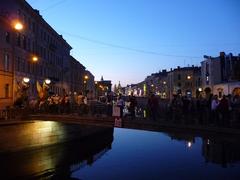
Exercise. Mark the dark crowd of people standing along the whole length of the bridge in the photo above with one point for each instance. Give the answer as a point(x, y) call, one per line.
point(222, 111)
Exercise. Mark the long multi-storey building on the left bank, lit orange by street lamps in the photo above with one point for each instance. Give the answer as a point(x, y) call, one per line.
point(31, 50)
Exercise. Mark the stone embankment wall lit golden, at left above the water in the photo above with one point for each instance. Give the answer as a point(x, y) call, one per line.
point(36, 134)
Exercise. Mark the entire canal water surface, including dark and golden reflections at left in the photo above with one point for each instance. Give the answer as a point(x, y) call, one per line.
point(115, 153)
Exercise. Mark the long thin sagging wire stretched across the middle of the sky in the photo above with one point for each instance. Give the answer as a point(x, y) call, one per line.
point(126, 48)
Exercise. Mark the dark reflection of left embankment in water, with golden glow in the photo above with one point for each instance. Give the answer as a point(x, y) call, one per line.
point(58, 161)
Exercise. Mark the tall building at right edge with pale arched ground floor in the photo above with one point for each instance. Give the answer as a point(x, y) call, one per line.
point(221, 75)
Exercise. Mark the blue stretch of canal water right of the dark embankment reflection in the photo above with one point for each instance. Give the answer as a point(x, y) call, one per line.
point(139, 154)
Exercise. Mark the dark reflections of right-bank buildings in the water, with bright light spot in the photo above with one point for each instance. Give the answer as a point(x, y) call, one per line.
point(220, 149)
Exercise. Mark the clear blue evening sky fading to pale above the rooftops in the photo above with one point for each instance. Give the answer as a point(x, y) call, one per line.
point(126, 40)
